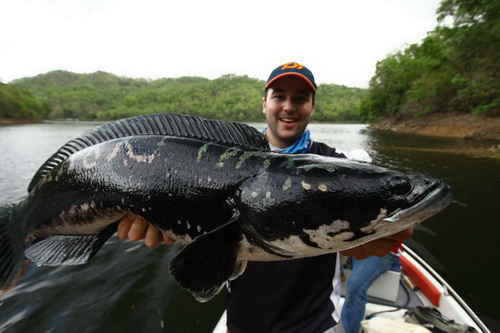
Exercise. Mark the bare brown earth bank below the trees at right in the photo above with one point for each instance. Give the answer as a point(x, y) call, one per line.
point(453, 125)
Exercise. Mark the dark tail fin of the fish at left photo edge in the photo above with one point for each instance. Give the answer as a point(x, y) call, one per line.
point(12, 260)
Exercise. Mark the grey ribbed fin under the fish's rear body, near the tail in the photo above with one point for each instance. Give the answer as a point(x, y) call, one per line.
point(68, 249)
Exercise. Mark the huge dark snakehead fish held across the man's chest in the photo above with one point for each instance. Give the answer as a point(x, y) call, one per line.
point(210, 184)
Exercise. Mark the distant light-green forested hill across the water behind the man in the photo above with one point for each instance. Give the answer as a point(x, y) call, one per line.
point(104, 96)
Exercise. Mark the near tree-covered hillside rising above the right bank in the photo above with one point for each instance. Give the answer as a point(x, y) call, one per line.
point(455, 68)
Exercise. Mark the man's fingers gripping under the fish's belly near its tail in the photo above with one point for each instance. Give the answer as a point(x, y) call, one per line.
point(136, 228)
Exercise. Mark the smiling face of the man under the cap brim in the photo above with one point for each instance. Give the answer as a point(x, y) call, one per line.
point(288, 106)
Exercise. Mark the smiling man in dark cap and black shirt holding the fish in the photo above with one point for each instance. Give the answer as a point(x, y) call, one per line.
point(288, 296)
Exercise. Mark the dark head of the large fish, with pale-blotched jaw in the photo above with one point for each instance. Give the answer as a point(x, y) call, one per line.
point(311, 204)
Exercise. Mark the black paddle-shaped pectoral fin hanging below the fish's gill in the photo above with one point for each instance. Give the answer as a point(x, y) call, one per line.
point(204, 265)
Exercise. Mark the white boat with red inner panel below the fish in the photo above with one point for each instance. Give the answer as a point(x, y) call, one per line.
point(416, 300)
